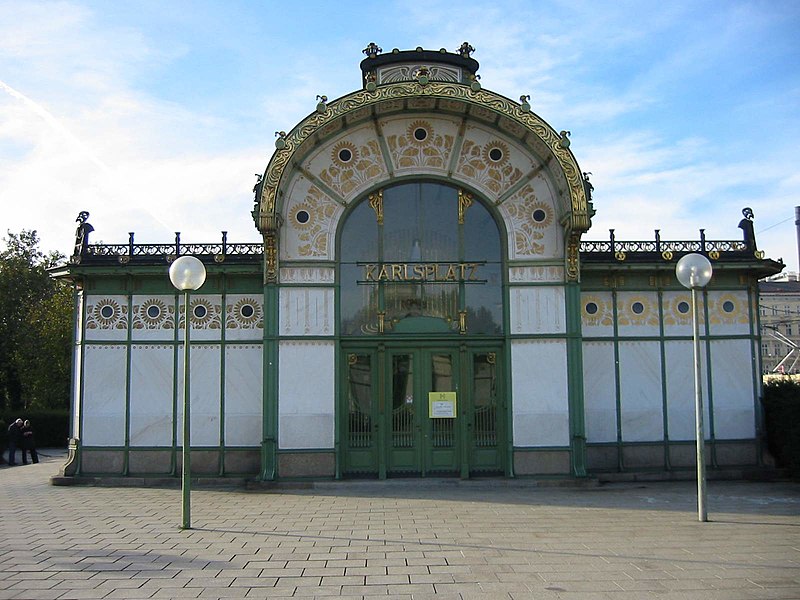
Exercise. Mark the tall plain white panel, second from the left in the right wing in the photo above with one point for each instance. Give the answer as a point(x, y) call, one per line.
point(641, 402)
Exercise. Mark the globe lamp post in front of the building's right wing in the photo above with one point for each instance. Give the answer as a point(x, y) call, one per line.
point(694, 272)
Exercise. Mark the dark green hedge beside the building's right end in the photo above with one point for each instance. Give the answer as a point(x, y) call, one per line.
point(782, 420)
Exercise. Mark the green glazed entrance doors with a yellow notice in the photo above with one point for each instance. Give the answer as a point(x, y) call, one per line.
point(432, 411)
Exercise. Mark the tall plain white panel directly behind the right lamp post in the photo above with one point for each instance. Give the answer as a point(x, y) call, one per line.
point(680, 390)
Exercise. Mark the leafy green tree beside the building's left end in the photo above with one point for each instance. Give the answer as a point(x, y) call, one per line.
point(35, 327)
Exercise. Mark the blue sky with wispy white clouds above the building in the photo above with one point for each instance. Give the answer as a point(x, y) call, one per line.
point(155, 115)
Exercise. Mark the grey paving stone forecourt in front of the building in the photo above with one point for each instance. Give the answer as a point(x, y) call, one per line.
point(410, 539)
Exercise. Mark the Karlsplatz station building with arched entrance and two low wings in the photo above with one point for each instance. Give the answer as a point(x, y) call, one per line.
point(423, 303)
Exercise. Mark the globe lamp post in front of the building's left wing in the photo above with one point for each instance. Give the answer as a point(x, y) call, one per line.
point(187, 274)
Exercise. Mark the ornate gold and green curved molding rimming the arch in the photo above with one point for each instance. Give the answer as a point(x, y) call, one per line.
point(412, 100)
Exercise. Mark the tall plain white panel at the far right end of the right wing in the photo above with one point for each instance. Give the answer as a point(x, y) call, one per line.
point(732, 386)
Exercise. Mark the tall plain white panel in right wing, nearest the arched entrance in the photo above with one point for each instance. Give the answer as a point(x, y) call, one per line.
point(600, 391)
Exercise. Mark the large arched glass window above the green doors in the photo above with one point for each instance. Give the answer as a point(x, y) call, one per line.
point(420, 258)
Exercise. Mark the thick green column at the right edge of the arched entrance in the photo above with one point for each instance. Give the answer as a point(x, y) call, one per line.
point(577, 426)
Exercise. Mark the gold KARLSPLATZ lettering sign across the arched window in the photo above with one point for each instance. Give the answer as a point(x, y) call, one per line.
point(432, 272)
